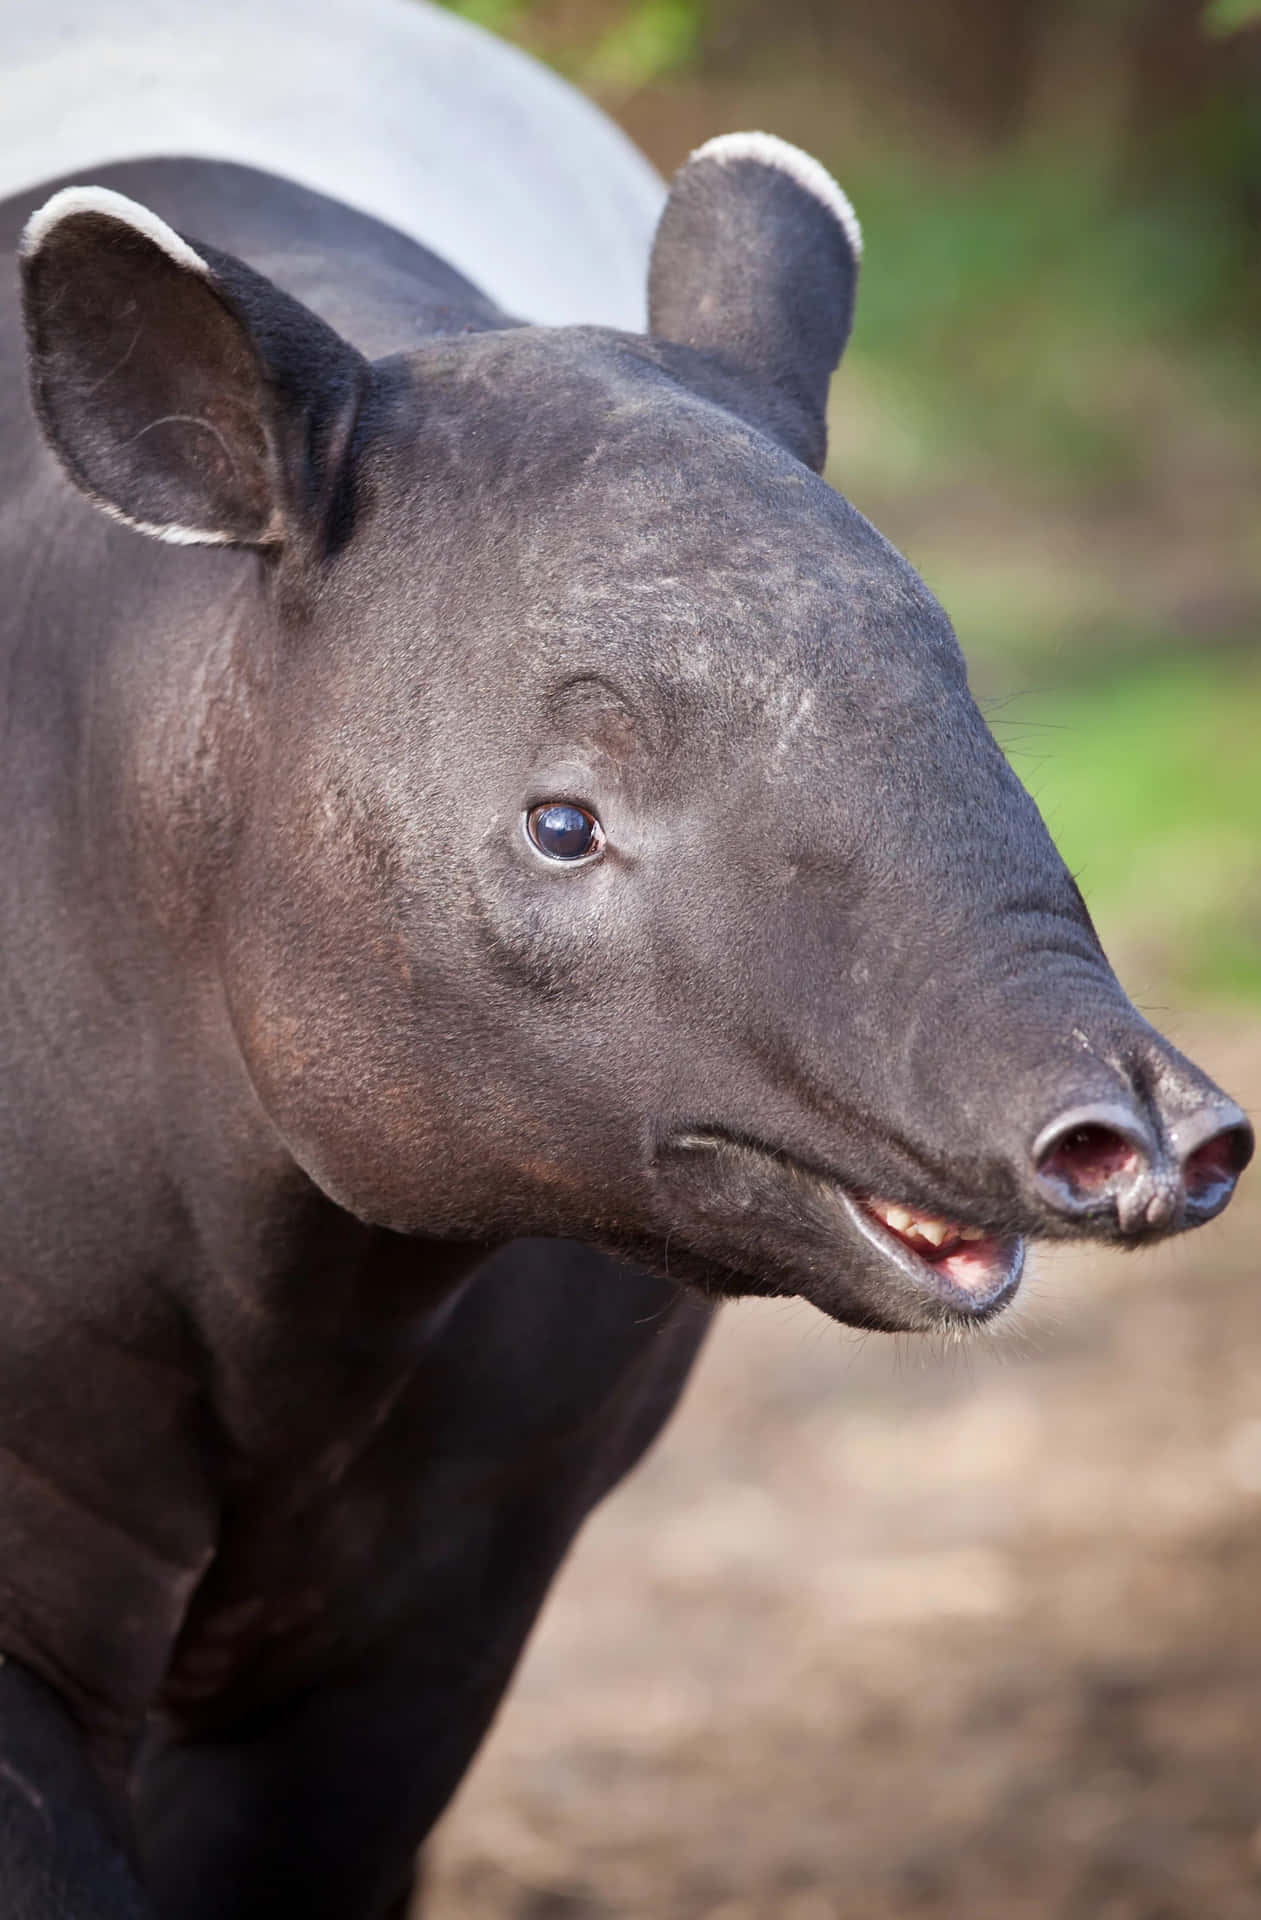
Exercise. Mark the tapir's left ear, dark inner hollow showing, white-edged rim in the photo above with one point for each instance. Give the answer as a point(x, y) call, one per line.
point(181, 391)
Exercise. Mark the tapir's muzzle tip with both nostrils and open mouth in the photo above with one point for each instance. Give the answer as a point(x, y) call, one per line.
point(909, 1224)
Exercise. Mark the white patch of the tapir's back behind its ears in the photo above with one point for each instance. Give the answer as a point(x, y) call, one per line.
point(391, 107)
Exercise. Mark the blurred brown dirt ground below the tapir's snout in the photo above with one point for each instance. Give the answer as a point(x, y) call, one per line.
point(880, 1629)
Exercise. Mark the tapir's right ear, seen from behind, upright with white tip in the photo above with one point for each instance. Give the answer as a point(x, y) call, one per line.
point(757, 262)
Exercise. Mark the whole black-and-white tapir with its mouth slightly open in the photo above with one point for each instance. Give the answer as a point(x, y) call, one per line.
point(500, 857)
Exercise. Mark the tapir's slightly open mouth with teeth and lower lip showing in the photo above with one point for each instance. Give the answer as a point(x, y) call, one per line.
point(928, 1270)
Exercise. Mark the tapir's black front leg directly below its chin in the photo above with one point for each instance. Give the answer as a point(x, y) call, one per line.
point(314, 1808)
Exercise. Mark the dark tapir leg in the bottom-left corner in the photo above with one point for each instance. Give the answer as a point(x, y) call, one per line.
point(60, 1856)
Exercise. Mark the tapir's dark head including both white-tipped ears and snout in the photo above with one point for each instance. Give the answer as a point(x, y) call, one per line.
point(617, 850)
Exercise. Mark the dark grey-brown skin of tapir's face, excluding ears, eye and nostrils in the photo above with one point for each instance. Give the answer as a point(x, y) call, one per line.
point(828, 949)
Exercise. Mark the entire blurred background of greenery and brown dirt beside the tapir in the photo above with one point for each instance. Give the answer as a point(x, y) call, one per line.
point(888, 1629)
